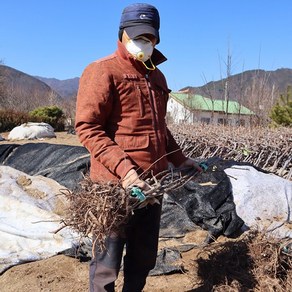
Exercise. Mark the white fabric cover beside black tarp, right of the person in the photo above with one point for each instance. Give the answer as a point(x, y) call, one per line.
point(262, 200)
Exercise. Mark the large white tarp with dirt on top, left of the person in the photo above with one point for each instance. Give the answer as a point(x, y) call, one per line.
point(30, 212)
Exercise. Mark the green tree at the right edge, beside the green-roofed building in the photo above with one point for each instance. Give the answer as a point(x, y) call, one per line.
point(281, 113)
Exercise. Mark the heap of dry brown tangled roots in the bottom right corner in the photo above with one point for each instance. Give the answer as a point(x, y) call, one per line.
point(254, 262)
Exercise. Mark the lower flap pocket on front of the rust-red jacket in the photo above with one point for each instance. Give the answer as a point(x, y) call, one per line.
point(132, 143)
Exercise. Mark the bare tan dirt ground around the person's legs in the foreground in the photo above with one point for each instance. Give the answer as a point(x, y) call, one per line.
point(64, 273)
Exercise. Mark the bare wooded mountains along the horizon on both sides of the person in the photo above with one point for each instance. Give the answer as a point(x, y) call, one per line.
point(250, 84)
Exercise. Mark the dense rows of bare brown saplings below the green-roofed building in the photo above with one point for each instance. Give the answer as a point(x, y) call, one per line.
point(268, 149)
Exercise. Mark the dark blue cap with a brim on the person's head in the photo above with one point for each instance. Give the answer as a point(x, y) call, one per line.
point(140, 18)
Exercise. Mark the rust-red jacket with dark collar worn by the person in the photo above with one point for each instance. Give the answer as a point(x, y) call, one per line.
point(120, 117)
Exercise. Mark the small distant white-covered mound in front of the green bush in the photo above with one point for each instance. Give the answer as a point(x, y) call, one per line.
point(32, 131)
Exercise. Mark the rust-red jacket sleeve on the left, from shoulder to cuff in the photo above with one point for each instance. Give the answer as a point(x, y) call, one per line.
point(93, 107)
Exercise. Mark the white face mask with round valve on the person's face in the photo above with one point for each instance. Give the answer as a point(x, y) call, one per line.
point(140, 48)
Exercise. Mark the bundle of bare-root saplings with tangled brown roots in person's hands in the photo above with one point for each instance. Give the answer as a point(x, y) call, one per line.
point(99, 210)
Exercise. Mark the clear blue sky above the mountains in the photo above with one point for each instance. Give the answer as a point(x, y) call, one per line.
point(58, 38)
